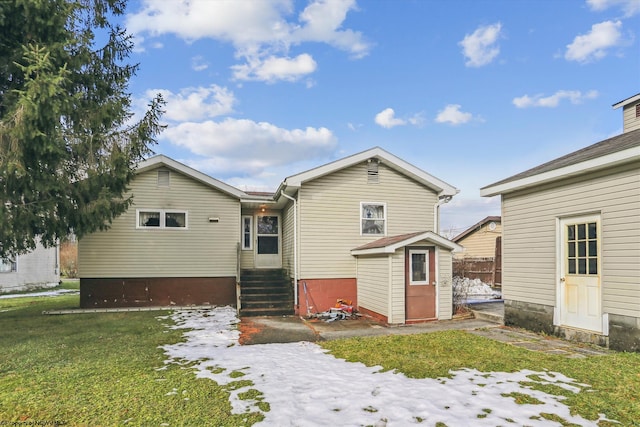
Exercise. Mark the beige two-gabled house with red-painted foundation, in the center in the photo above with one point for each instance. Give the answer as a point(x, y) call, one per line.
point(363, 228)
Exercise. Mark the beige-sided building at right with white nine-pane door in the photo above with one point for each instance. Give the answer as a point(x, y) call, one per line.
point(571, 241)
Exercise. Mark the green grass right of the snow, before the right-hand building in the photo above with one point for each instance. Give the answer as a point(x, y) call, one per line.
point(614, 378)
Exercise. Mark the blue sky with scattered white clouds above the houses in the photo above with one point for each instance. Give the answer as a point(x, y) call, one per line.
point(471, 91)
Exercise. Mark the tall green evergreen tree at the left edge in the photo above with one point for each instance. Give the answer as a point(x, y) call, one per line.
point(68, 146)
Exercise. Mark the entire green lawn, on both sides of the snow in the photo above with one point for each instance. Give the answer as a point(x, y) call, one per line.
point(102, 369)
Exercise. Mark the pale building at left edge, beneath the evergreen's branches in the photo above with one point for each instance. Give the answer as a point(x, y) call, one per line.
point(34, 270)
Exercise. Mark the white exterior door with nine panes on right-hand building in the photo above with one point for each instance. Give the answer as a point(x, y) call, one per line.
point(580, 293)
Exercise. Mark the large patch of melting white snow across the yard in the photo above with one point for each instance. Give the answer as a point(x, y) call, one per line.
point(305, 386)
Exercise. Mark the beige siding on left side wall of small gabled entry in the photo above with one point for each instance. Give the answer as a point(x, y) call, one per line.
point(373, 283)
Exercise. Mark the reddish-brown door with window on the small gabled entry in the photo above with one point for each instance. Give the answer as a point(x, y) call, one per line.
point(420, 292)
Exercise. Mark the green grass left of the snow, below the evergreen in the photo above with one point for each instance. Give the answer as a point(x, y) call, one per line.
point(99, 369)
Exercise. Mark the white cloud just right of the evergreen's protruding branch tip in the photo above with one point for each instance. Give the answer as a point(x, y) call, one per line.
point(196, 103)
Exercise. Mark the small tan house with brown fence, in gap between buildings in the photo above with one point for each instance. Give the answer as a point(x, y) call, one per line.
point(481, 256)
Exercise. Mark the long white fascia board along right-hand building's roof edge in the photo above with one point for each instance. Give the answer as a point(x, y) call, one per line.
point(609, 160)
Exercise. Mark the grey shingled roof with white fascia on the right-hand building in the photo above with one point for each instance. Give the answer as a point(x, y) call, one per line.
point(611, 152)
